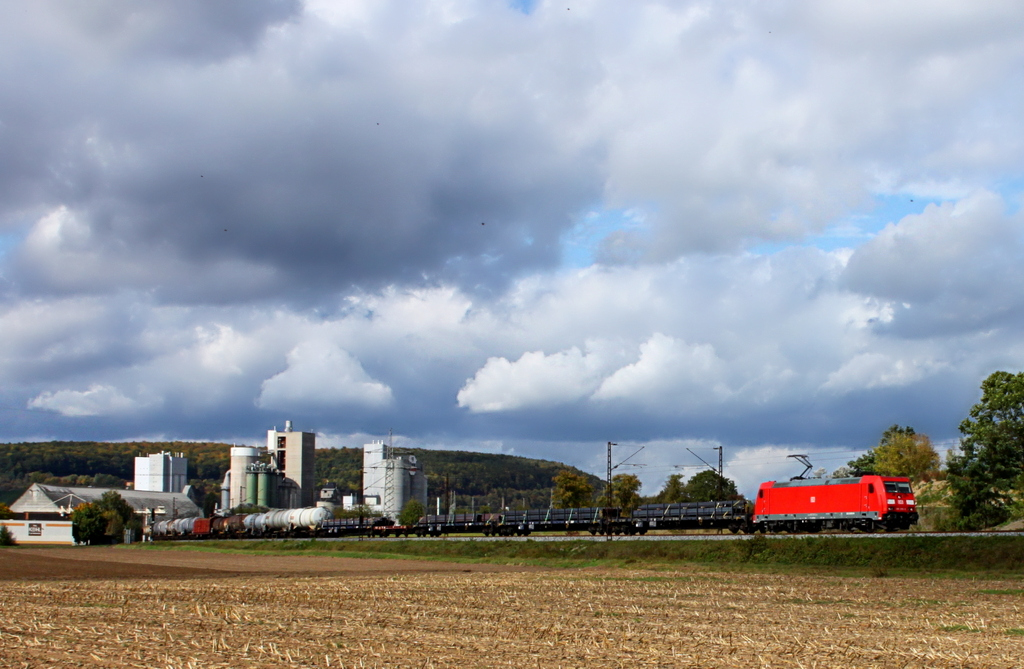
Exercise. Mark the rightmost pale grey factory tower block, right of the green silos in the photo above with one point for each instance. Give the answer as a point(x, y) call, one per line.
point(391, 480)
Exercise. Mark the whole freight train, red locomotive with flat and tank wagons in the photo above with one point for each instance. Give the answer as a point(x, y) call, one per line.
point(859, 504)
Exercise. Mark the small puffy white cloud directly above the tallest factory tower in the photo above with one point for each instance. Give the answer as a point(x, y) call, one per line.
point(322, 375)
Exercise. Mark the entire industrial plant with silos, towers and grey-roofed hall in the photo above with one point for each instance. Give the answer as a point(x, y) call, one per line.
point(279, 477)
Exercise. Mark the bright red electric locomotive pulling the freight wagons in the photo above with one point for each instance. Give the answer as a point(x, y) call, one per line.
point(865, 504)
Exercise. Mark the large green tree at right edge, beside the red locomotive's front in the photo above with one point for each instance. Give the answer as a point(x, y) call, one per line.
point(989, 474)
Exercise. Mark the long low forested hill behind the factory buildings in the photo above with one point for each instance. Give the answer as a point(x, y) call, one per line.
point(112, 465)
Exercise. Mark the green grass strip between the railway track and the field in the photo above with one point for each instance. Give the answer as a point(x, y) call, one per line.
point(904, 554)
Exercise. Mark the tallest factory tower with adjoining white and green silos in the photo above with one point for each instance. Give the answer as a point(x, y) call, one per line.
point(280, 477)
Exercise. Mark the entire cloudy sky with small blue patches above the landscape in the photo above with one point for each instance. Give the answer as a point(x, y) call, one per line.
point(525, 228)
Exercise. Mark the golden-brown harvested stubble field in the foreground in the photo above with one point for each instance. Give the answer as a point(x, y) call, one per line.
point(566, 618)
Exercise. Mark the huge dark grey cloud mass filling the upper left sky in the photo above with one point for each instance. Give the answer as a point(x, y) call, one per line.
point(310, 169)
